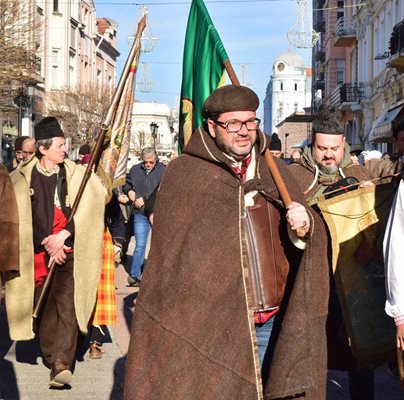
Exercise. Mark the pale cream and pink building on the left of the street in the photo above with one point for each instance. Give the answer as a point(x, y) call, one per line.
point(73, 50)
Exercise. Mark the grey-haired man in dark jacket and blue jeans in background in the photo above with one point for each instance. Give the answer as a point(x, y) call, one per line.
point(141, 181)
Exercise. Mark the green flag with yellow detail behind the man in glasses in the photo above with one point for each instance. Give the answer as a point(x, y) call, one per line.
point(202, 70)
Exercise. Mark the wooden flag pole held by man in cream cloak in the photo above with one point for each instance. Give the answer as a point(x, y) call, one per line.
point(96, 155)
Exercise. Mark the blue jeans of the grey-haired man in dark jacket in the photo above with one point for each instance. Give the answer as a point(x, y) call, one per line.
point(141, 227)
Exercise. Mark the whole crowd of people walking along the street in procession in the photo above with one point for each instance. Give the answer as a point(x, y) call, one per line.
point(256, 310)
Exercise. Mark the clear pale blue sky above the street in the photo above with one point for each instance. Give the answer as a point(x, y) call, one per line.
point(253, 32)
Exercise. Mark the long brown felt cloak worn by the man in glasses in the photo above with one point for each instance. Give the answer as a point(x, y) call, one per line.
point(192, 335)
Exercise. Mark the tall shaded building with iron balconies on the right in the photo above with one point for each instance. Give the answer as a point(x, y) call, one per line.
point(354, 68)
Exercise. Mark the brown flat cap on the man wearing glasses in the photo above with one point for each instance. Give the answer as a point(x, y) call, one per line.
point(229, 98)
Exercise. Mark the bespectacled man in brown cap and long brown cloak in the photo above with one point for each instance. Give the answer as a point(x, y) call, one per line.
point(229, 307)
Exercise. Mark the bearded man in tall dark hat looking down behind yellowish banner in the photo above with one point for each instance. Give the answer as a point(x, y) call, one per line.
point(326, 165)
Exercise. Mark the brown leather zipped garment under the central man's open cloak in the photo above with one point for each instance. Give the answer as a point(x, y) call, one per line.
point(268, 266)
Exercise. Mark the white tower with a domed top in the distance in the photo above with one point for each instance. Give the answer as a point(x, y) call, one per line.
point(288, 91)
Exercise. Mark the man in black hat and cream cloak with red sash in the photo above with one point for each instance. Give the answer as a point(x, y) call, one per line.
point(46, 187)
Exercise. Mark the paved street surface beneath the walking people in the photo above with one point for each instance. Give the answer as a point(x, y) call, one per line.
point(23, 376)
